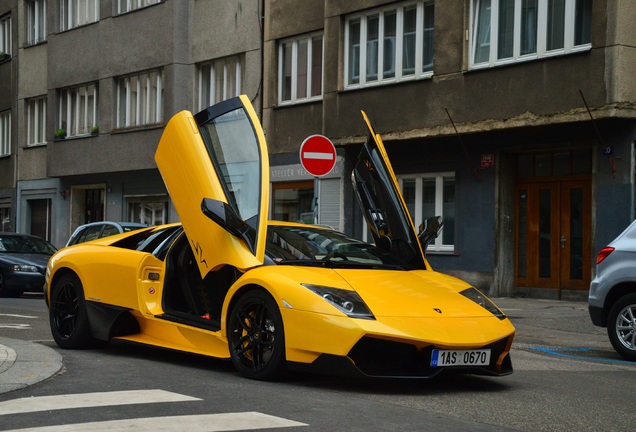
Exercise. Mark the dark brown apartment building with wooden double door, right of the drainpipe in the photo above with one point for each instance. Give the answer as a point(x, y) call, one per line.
point(513, 119)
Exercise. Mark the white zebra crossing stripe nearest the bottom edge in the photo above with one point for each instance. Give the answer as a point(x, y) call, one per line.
point(199, 423)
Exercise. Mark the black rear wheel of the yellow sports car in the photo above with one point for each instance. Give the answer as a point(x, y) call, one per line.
point(67, 313)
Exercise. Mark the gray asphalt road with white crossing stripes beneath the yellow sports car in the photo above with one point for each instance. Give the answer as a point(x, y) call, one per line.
point(567, 377)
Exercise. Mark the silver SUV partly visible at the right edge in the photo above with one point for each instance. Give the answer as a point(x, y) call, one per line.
point(612, 297)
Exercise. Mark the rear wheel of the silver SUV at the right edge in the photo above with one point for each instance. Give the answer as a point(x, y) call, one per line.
point(621, 326)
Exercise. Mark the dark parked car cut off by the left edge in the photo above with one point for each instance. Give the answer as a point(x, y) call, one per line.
point(23, 261)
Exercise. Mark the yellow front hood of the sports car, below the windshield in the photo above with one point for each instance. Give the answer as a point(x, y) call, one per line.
point(419, 293)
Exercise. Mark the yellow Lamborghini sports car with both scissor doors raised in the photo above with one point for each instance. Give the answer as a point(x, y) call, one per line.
point(227, 283)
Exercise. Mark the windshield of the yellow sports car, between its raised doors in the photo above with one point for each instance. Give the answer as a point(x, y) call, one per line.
point(299, 245)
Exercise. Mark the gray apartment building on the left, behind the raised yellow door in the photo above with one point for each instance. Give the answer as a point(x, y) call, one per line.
point(93, 84)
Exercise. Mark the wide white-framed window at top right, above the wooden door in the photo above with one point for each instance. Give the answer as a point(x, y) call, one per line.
point(505, 31)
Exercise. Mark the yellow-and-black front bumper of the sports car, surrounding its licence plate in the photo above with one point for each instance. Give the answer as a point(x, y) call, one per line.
point(393, 346)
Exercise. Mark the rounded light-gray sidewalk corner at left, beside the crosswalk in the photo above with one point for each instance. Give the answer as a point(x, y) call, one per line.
point(24, 363)
